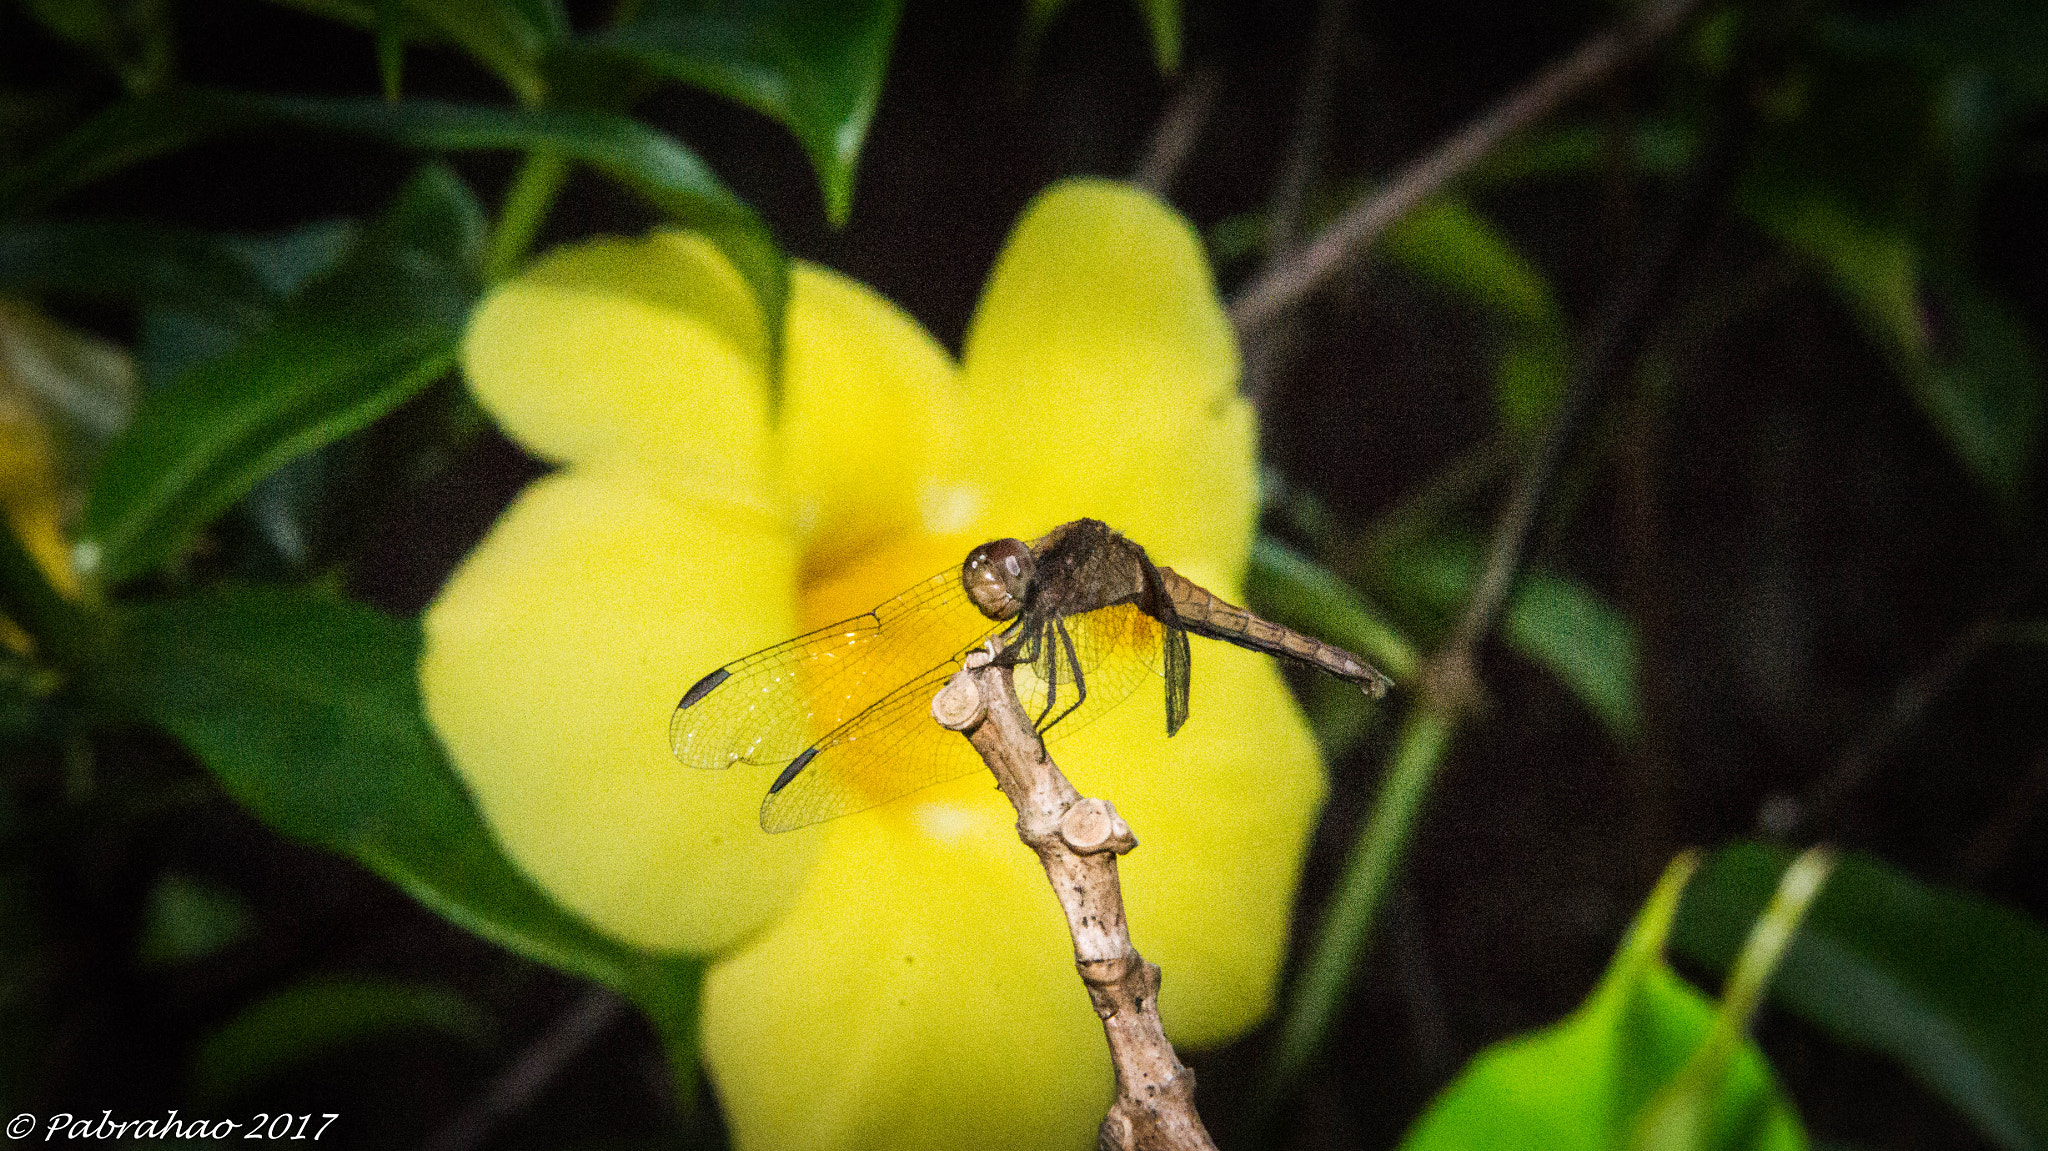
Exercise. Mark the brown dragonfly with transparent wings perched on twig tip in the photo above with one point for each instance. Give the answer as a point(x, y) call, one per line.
point(1082, 615)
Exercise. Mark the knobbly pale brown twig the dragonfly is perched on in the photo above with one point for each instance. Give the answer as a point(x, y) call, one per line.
point(1078, 843)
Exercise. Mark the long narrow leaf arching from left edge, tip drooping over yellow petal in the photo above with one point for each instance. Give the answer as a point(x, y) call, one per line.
point(642, 159)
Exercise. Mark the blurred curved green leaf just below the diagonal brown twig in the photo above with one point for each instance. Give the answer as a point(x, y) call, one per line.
point(1457, 249)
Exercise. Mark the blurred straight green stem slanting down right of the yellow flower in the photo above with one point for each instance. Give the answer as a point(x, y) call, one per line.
point(1359, 898)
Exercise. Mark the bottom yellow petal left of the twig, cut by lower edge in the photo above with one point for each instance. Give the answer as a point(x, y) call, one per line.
point(921, 994)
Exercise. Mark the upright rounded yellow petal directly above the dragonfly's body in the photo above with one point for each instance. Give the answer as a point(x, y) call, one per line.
point(1103, 357)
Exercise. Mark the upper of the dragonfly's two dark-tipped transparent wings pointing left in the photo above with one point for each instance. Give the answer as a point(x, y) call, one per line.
point(771, 706)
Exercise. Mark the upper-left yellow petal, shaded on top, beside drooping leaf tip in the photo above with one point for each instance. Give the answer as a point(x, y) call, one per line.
point(632, 349)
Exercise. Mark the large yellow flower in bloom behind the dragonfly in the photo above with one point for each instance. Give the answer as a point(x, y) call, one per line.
point(896, 978)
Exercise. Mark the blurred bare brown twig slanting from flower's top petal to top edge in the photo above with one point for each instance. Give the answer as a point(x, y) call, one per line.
point(1312, 267)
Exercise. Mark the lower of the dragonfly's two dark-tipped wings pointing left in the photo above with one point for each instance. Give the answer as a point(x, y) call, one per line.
point(886, 753)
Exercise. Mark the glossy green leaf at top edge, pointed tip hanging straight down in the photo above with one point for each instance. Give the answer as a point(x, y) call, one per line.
point(816, 67)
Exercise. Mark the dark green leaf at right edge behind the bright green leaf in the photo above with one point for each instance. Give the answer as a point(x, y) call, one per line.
point(1947, 984)
